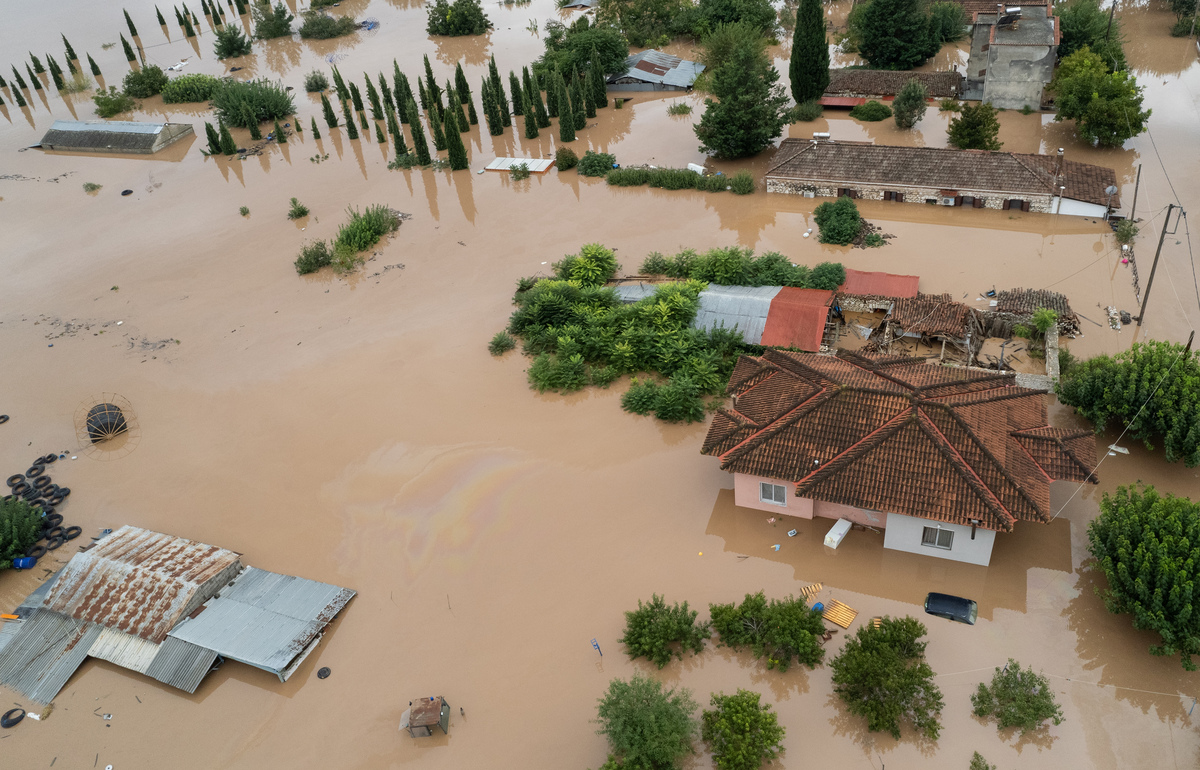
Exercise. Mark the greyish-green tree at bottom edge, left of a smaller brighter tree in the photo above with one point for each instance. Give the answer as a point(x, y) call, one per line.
point(647, 727)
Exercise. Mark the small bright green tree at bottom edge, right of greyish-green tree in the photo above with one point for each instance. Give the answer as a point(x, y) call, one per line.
point(741, 732)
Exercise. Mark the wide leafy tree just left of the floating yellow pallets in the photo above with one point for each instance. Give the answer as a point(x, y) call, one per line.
point(779, 630)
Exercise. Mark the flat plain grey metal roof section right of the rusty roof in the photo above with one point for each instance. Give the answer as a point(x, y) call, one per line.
point(265, 619)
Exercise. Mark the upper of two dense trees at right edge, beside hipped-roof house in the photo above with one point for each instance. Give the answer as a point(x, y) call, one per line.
point(1153, 390)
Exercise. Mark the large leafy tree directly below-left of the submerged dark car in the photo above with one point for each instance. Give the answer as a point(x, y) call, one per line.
point(881, 675)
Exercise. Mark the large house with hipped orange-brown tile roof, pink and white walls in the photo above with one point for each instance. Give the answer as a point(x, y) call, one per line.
point(941, 459)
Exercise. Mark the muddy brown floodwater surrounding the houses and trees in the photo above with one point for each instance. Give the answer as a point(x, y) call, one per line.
point(357, 431)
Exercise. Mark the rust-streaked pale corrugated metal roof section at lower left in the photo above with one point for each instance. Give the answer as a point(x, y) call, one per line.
point(141, 582)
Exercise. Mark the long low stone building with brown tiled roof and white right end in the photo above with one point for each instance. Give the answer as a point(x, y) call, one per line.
point(944, 177)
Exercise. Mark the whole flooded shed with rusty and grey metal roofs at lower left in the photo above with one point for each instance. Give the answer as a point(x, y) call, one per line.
point(165, 607)
